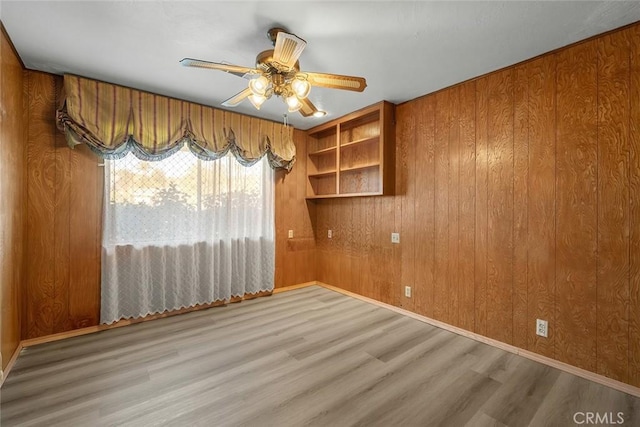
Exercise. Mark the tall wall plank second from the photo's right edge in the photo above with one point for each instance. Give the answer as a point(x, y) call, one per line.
point(613, 206)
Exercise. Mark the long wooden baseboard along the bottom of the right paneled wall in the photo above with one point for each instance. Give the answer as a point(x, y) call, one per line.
point(591, 376)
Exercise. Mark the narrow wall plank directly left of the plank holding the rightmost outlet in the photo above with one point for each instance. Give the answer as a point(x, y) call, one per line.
point(520, 208)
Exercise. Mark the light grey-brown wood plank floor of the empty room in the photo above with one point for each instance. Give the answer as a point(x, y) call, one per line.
point(305, 357)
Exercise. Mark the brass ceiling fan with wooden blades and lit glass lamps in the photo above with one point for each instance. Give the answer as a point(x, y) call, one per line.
point(277, 72)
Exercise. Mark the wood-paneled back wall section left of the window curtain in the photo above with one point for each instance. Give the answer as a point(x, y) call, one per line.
point(64, 214)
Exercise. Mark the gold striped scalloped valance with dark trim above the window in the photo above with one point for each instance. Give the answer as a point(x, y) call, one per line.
point(114, 120)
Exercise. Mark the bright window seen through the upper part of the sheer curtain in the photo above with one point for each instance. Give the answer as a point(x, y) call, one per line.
point(183, 199)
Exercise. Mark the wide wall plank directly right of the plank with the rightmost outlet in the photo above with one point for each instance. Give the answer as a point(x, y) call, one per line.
point(576, 204)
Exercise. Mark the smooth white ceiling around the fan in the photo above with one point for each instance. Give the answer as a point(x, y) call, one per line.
point(404, 49)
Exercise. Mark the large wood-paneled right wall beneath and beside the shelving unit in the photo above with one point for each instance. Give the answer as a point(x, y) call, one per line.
point(517, 199)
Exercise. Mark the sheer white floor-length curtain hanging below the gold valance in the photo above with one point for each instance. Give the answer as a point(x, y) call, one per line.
point(182, 231)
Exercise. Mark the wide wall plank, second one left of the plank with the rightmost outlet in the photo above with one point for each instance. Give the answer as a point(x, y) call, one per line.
point(500, 207)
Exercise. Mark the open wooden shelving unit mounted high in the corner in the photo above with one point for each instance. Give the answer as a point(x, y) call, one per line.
point(353, 155)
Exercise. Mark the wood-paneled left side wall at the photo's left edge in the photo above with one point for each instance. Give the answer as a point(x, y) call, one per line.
point(12, 199)
